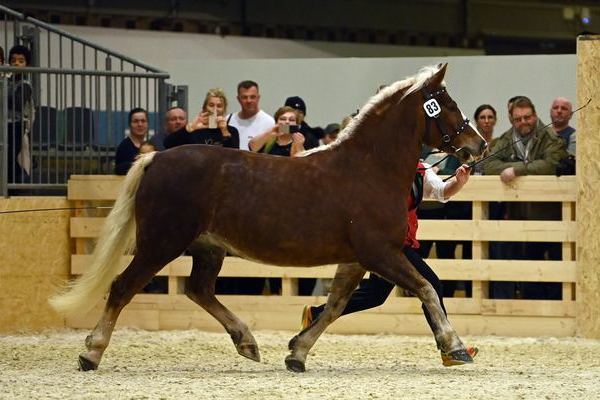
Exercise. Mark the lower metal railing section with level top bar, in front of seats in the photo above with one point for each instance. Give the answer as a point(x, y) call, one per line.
point(79, 120)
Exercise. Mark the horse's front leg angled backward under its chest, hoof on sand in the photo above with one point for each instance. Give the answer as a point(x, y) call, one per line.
point(347, 277)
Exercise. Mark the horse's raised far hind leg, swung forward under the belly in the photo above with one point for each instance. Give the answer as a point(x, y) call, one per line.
point(201, 289)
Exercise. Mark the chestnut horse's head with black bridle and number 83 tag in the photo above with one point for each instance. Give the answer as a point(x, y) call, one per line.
point(446, 127)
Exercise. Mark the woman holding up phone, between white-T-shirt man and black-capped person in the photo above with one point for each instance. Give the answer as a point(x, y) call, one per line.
point(283, 138)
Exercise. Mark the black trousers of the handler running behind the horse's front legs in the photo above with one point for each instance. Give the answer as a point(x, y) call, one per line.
point(374, 291)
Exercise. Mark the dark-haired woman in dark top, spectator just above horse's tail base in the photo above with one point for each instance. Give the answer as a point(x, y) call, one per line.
point(129, 148)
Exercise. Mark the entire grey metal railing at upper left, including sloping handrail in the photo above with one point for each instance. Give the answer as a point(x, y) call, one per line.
point(81, 95)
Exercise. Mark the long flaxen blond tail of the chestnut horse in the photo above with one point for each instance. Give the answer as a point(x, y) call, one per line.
point(116, 238)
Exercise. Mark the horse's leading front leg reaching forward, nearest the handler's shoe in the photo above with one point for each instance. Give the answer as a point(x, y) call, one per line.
point(394, 266)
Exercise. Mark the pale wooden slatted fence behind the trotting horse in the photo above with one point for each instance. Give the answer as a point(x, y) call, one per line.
point(473, 315)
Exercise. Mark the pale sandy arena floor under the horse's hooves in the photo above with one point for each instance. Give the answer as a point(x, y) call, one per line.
point(202, 365)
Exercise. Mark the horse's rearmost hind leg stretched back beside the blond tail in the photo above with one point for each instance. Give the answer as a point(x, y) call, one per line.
point(139, 272)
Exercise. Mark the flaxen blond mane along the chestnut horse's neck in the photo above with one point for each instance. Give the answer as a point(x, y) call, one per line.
point(409, 84)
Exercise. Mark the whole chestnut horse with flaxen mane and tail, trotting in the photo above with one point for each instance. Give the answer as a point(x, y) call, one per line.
point(342, 203)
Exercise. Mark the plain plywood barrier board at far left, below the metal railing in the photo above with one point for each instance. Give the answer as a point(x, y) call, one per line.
point(34, 257)
